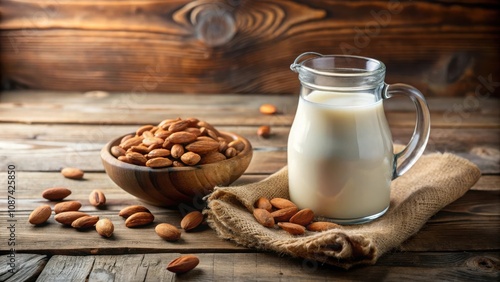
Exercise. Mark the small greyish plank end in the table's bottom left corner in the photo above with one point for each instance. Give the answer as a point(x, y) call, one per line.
point(21, 267)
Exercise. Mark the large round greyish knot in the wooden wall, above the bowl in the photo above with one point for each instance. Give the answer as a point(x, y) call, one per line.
point(214, 25)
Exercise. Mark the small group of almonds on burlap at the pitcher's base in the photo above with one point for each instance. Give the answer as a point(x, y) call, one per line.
point(288, 217)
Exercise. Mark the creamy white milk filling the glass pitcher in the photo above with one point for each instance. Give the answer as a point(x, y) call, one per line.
point(340, 160)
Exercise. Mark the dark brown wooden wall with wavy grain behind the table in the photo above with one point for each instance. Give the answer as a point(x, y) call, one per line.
point(205, 46)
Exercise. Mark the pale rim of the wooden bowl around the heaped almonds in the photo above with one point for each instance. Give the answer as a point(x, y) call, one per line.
point(112, 160)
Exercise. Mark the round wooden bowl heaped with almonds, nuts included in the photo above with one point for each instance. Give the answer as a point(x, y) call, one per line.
point(176, 161)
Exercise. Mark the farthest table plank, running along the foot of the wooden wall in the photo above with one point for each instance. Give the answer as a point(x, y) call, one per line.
point(460, 114)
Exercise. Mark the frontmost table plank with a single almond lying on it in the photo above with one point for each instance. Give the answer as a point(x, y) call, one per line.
point(478, 266)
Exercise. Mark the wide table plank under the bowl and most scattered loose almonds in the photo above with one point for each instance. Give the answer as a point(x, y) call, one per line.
point(476, 215)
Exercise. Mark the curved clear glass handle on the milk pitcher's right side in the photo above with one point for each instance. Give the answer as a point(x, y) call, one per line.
point(405, 159)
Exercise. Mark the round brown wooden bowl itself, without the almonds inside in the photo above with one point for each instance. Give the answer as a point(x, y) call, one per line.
point(171, 186)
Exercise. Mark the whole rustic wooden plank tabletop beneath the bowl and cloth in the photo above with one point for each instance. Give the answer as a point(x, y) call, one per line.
point(42, 132)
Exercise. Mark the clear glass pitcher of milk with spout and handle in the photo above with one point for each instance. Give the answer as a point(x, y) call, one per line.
point(340, 150)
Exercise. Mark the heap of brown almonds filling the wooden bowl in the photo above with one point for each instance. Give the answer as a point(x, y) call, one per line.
point(176, 142)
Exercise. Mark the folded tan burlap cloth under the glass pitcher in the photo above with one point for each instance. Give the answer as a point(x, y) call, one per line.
point(433, 182)
